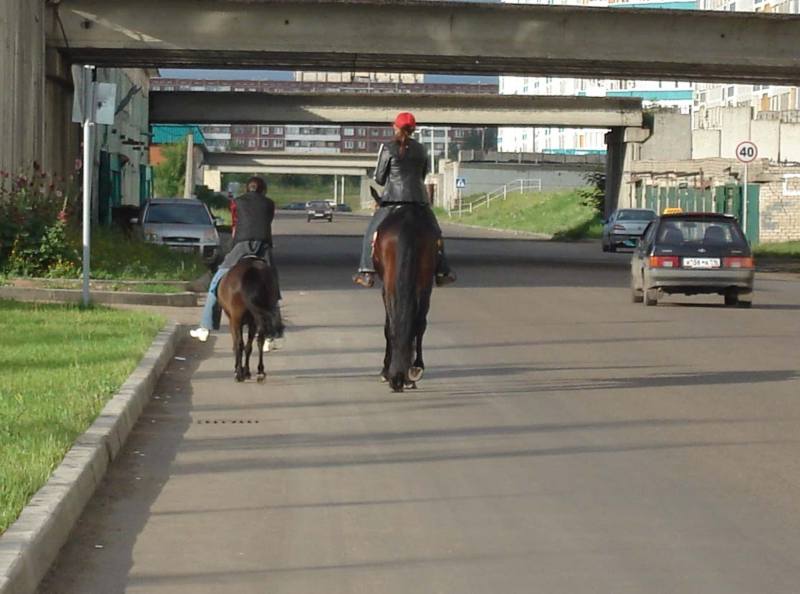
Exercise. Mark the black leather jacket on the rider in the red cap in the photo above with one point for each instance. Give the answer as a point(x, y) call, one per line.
point(403, 177)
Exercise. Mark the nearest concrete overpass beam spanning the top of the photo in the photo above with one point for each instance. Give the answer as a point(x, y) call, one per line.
point(454, 37)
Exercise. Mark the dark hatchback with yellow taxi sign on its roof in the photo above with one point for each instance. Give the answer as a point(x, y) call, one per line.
point(693, 253)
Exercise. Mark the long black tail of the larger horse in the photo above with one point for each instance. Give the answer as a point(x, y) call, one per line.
point(403, 306)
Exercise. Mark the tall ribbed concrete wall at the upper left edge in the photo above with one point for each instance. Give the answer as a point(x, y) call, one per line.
point(22, 80)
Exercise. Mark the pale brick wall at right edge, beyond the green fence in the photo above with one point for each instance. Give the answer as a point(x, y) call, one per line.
point(779, 207)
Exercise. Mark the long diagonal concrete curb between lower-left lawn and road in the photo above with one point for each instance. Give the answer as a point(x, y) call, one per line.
point(31, 544)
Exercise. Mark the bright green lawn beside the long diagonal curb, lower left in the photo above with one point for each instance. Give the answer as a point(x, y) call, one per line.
point(58, 367)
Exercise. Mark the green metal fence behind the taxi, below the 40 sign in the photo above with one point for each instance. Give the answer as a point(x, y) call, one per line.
point(726, 199)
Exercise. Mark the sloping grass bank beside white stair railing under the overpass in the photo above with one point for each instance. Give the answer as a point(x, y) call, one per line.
point(560, 214)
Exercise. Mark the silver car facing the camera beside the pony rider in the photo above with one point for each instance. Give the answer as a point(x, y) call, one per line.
point(181, 224)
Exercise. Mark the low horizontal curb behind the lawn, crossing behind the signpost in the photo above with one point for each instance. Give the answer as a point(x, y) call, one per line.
point(183, 299)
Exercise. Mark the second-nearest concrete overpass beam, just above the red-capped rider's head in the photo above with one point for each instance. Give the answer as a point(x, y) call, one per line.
point(354, 108)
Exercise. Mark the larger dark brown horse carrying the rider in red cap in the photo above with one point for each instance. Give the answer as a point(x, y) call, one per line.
point(405, 259)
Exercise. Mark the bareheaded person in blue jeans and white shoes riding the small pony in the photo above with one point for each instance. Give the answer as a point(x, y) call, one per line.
point(253, 213)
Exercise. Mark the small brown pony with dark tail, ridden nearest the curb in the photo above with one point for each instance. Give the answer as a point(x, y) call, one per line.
point(249, 296)
